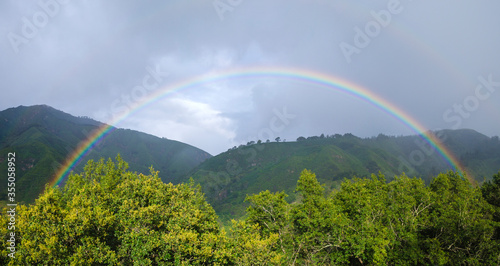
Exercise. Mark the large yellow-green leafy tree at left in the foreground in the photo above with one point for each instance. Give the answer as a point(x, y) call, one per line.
point(108, 215)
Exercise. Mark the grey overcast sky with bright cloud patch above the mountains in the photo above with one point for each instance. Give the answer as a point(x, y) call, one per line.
point(437, 60)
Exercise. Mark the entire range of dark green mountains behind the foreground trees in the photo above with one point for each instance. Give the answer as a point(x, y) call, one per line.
point(43, 137)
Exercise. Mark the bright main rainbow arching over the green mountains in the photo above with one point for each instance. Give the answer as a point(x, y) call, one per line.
point(308, 76)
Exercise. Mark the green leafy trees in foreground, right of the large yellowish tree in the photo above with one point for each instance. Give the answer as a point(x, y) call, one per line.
point(371, 221)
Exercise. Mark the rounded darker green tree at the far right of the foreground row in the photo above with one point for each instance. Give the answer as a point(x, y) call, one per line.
point(460, 224)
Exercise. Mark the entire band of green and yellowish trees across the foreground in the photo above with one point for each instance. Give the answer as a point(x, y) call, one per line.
point(108, 215)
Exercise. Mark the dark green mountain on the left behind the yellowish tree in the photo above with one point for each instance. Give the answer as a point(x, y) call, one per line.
point(43, 137)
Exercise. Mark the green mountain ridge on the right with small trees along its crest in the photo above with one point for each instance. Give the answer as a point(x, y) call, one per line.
point(228, 177)
